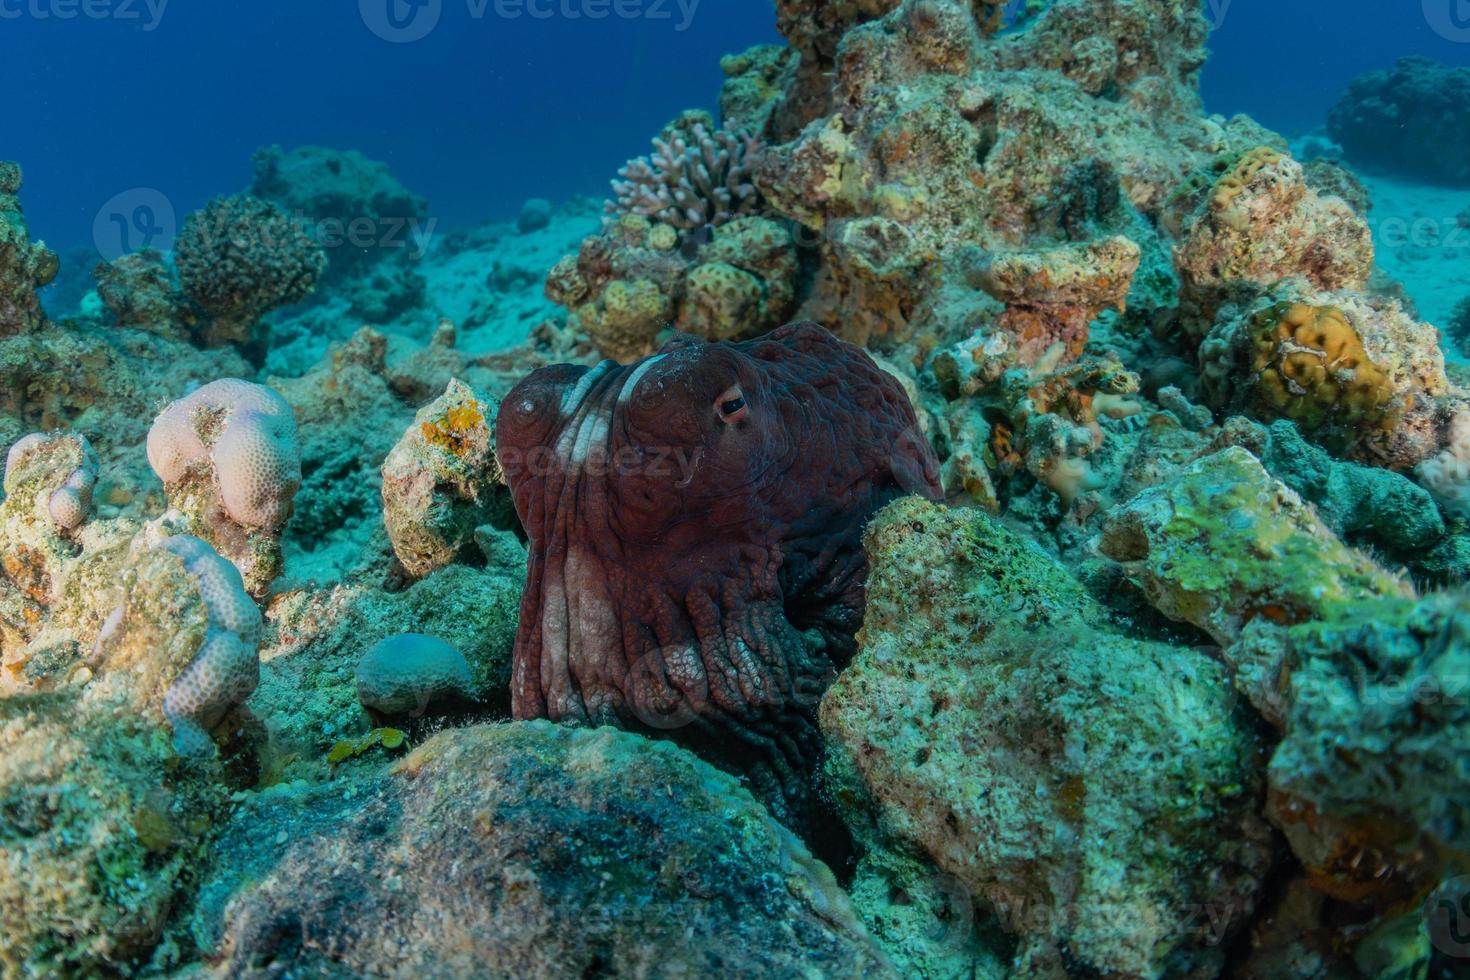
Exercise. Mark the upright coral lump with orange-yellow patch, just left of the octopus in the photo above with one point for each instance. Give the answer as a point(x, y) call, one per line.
point(442, 481)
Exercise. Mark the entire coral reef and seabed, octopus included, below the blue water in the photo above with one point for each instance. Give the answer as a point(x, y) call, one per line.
point(1164, 688)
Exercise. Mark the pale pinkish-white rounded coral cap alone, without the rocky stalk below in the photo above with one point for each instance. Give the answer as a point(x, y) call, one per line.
point(246, 434)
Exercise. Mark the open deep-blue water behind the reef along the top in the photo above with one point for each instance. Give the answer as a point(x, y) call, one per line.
point(493, 105)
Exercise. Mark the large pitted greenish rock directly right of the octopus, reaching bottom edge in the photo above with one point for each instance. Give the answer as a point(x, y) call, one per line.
point(1086, 788)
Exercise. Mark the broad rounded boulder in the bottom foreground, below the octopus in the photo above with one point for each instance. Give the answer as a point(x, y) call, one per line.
point(531, 851)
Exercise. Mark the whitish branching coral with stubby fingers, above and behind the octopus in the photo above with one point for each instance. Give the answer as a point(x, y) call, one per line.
point(696, 177)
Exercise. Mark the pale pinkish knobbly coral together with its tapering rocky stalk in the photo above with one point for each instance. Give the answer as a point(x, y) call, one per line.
point(232, 465)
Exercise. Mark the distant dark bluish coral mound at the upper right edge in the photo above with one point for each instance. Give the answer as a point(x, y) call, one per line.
point(1387, 120)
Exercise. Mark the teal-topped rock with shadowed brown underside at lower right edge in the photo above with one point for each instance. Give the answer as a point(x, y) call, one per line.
point(1368, 782)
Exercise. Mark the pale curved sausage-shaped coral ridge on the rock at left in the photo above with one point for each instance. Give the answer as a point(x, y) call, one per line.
point(227, 668)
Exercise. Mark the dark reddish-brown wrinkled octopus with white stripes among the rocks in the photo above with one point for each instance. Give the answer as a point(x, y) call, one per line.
point(696, 540)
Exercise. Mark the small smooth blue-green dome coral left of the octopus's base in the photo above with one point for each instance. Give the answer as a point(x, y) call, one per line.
point(405, 675)
